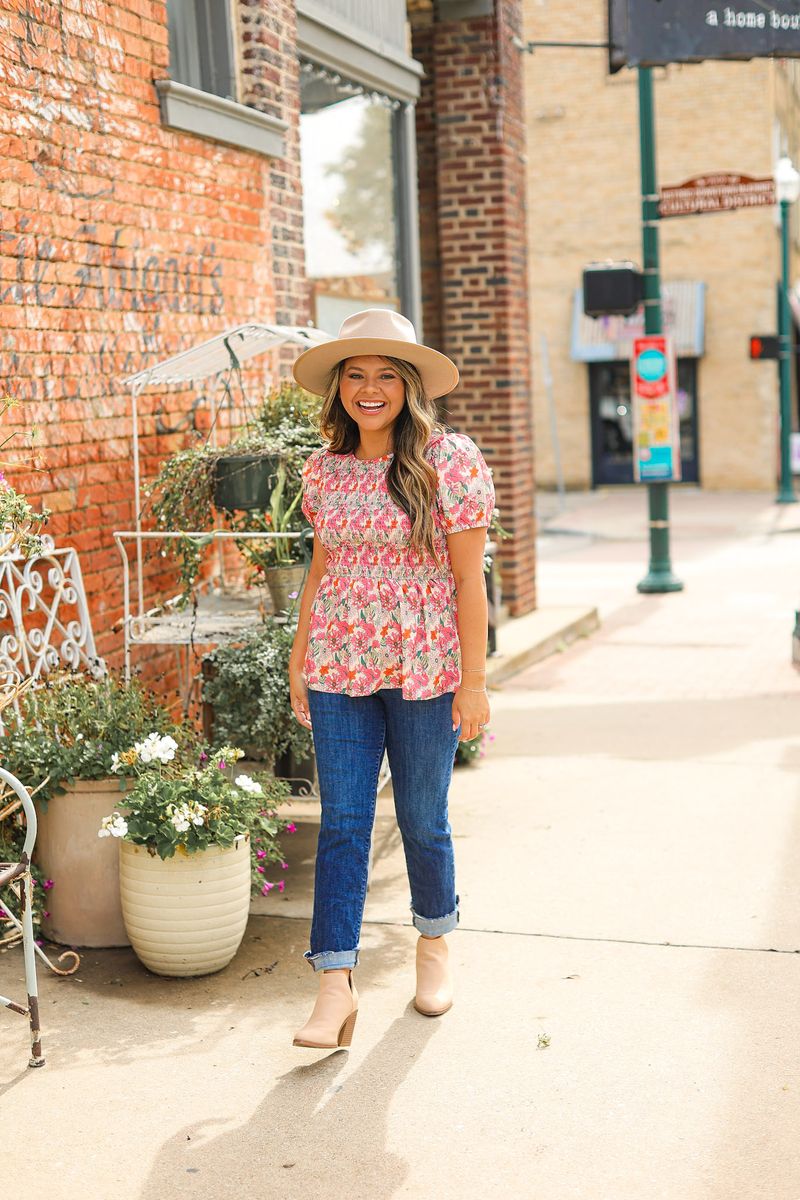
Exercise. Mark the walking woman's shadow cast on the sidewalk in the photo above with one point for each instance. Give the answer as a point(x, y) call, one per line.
point(311, 1131)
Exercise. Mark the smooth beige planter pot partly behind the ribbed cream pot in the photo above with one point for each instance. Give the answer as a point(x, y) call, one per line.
point(85, 904)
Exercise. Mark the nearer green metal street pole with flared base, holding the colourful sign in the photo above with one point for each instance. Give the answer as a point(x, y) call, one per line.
point(660, 577)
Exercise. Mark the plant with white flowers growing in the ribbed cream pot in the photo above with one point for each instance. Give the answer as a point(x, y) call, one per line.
point(190, 799)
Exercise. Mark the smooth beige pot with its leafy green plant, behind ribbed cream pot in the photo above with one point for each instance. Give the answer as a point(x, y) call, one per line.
point(62, 746)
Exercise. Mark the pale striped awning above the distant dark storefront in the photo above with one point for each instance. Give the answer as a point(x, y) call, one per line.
point(609, 339)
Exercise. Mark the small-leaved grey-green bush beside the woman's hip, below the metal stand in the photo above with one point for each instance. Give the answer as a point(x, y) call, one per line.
point(248, 685)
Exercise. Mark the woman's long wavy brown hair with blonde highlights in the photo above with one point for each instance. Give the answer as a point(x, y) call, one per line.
point(411, 478)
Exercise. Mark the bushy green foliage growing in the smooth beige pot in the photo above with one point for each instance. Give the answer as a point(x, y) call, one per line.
point(71, 728)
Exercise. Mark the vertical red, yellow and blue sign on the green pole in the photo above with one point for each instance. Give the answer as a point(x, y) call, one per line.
point(657, 433)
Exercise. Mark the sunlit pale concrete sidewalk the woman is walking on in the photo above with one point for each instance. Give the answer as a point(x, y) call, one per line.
point(627, 1024)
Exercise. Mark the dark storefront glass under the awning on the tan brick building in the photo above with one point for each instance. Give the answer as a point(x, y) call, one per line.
point(612, 422)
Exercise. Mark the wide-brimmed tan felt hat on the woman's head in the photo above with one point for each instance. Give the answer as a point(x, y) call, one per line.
point(377, 332)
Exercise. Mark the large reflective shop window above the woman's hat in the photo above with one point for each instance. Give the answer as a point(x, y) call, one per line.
point(351, 218)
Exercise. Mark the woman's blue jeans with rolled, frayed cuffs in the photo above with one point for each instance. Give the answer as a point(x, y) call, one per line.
point(351, 734)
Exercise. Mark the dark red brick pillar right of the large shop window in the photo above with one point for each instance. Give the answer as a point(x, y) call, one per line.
point(471, 135)
